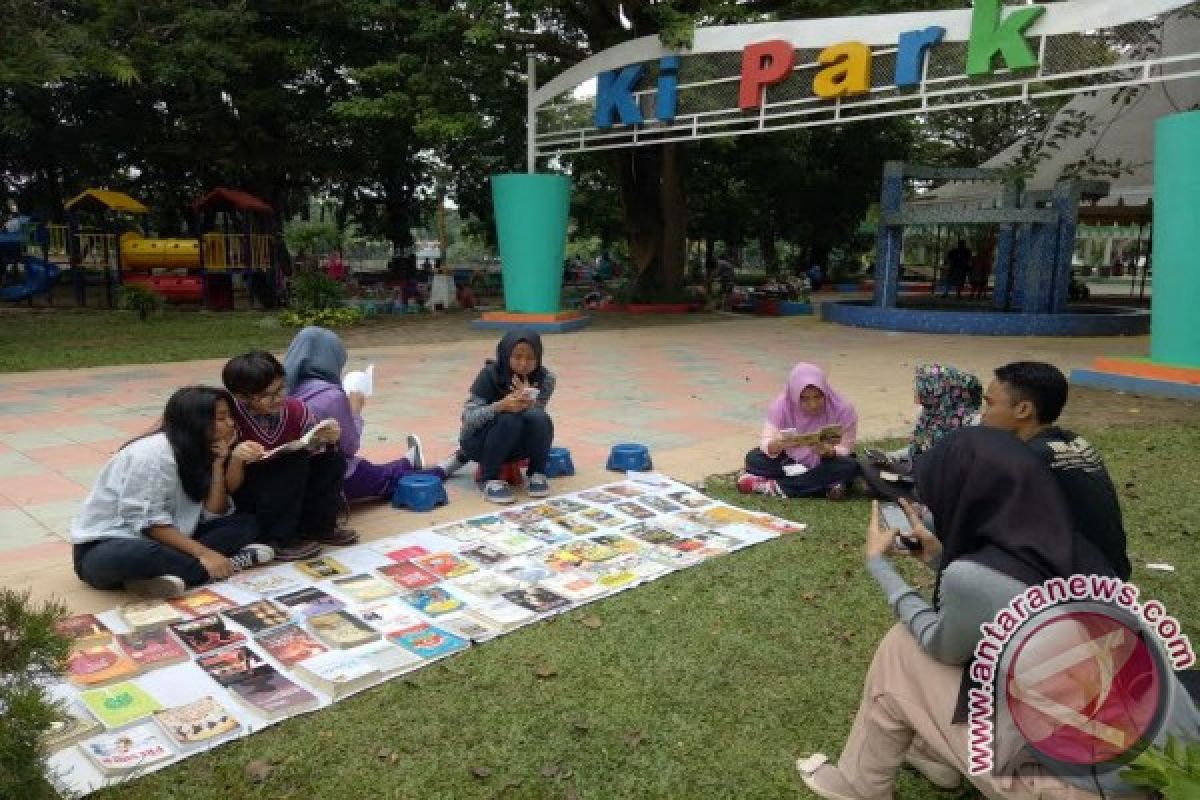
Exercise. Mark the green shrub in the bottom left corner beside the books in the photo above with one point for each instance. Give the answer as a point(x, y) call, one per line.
point(32, 655)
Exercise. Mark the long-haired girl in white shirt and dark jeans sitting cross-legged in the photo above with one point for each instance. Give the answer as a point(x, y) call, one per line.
point(159, 519)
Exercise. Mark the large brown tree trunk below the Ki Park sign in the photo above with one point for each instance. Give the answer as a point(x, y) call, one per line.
point(656, 220)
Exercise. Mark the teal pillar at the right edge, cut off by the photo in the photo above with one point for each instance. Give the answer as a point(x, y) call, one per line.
point(1175, 322)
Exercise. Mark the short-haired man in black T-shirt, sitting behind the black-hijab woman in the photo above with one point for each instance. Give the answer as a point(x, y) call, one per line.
point(1027, 399)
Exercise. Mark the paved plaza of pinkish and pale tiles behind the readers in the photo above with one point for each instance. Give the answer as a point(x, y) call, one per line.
point(695, 394)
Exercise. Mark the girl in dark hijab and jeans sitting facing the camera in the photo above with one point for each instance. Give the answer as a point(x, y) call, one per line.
point(506, 417)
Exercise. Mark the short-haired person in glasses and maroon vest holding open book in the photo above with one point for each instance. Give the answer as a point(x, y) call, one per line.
point(296, 496)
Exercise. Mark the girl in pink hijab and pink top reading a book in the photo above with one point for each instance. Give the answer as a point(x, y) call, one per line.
point(783, 468)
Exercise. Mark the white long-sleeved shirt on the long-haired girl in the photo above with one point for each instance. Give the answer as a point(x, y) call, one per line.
point(137, 490)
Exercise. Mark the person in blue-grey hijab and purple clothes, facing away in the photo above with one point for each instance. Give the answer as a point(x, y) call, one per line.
point(314, 364)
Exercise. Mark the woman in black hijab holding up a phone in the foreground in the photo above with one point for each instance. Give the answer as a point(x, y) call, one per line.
point(1003, 526)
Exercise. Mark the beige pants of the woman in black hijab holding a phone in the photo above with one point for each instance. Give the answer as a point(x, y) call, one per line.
point(908, 703)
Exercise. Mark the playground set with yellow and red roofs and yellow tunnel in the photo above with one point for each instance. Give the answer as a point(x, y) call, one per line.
point(103, 245)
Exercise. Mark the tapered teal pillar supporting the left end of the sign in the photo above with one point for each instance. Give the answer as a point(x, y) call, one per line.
point(531, 226)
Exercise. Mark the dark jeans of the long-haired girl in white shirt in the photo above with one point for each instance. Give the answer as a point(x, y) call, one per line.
point(110, 563)
